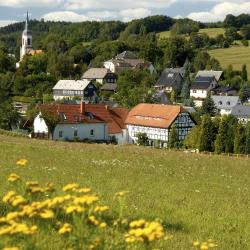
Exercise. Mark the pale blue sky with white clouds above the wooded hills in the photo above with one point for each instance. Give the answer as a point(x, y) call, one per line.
point(124, 10)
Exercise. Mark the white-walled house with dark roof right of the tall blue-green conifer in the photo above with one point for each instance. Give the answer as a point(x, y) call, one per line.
point(201, 88)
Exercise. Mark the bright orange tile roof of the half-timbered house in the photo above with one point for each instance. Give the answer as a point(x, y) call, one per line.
point(154, 115)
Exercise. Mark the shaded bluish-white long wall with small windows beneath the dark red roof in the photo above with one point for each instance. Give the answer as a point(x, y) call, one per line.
point(83, 131)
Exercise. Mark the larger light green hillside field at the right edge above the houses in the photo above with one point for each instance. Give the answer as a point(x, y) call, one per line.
point(236, 55)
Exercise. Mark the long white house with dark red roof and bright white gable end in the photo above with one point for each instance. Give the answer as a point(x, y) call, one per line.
point(94, 122)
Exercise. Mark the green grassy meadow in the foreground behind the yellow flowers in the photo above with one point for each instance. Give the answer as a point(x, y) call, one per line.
point(198, 197)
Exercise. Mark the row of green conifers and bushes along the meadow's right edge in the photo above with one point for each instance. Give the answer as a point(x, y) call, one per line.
point(220, 135)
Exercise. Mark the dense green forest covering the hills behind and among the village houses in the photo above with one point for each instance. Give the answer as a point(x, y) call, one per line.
point(71, 48)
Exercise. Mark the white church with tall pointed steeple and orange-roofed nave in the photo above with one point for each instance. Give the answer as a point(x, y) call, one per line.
point(26, 48)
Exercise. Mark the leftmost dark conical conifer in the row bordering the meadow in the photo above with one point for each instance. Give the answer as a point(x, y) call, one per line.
point(207, 134)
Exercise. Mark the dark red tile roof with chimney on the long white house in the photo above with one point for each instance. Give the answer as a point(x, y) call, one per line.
point(114, 117)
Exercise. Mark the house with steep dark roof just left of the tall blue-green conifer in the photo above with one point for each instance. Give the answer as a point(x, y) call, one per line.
point(170, 79)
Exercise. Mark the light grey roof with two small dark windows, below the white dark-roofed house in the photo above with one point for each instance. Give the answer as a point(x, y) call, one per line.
point(225, 102)
